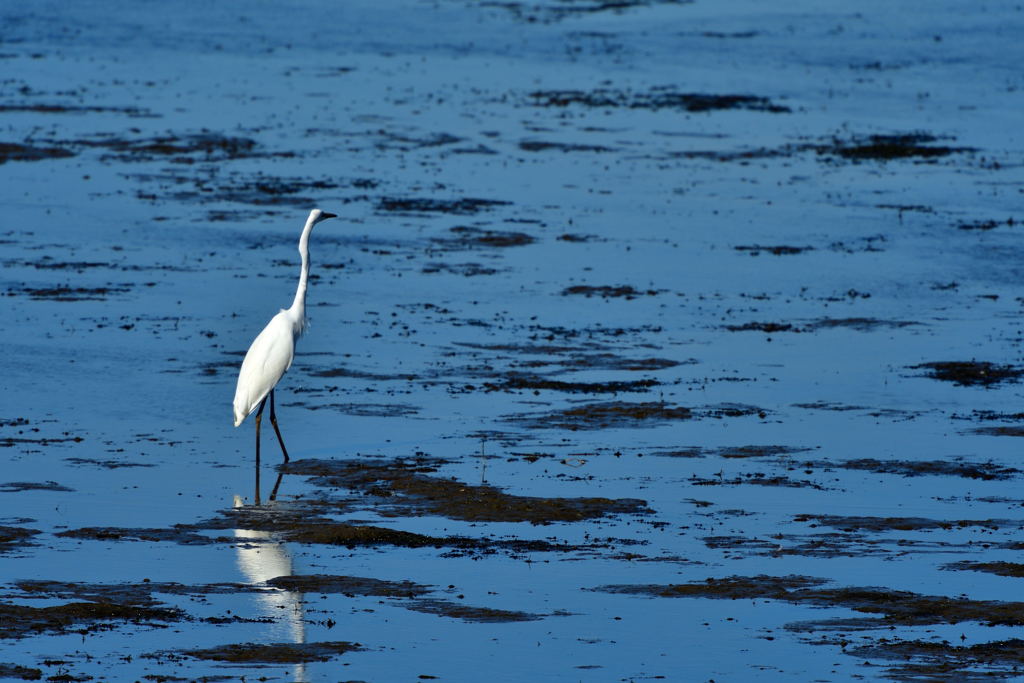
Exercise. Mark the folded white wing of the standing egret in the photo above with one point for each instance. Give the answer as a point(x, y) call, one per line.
point(271, 355)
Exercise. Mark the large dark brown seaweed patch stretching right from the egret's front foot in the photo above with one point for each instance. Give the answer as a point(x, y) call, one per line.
point(406, 488)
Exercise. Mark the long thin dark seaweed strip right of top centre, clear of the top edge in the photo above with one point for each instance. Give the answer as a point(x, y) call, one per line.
point(657, 99)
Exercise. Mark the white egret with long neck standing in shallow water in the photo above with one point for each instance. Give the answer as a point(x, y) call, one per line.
point(274, 350)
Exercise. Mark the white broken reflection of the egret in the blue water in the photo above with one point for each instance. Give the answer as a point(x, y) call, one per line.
point(262, 561)
